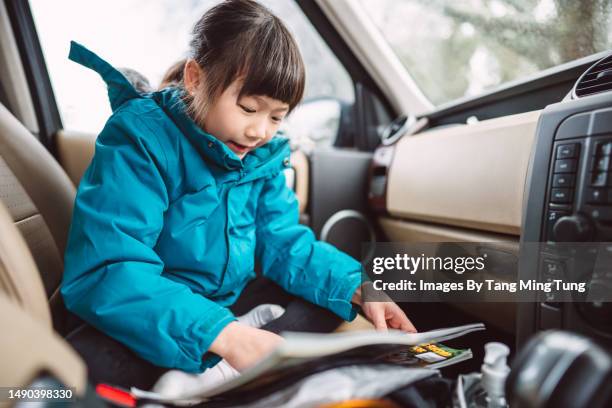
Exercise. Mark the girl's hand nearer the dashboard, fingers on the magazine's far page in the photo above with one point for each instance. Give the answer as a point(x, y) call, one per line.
point(384, 315)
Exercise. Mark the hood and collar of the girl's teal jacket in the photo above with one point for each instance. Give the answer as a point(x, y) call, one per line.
point(263, 161)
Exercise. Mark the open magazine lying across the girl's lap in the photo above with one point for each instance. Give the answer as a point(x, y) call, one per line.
point(303, 354)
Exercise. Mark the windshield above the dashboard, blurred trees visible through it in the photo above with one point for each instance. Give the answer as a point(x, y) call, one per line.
point(460, 48)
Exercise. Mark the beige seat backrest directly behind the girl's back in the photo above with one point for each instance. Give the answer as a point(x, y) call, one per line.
point(39, 197)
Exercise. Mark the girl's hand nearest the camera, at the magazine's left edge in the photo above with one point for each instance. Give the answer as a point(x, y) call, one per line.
point(243, 346)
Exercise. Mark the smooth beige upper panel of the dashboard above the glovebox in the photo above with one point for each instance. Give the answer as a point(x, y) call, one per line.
point(469, 176)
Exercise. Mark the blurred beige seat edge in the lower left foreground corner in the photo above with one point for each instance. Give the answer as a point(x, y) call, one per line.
point(28, 346)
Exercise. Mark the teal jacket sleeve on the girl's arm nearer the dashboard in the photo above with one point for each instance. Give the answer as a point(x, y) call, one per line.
point(291, 256)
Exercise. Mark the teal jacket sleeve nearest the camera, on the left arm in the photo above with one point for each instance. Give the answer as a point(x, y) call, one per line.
point(113, 276)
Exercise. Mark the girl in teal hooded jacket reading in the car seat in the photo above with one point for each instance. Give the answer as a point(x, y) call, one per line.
point(184, 194)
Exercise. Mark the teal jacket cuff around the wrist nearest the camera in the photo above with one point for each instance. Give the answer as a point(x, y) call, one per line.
point(196, 359)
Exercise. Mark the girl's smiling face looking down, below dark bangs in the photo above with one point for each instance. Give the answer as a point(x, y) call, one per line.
point(244, 123)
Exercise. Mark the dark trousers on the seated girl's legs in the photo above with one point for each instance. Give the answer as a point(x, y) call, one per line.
point(111, 362)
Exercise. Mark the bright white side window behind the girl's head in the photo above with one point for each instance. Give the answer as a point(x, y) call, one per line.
point(149, 37)
